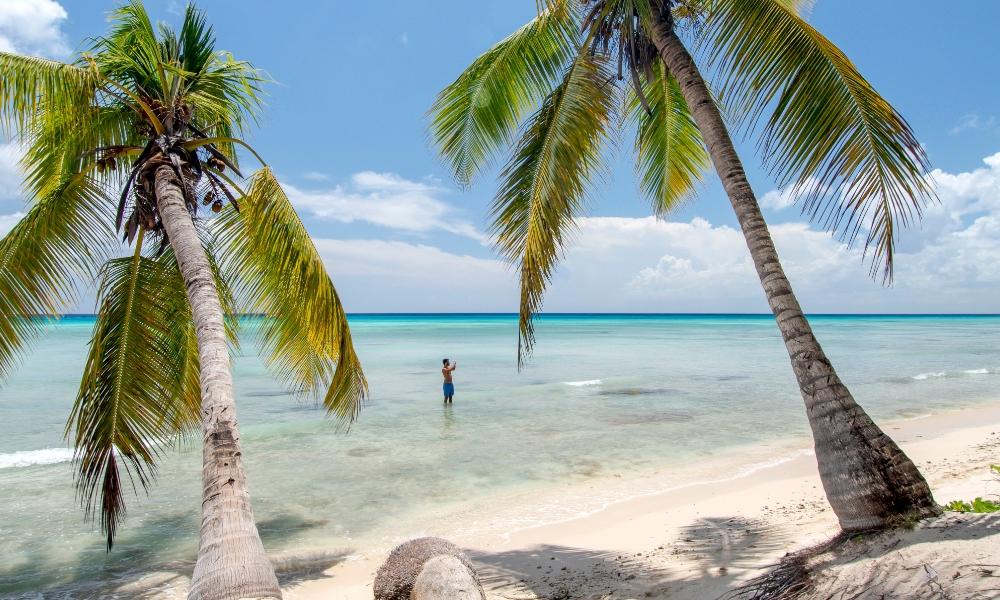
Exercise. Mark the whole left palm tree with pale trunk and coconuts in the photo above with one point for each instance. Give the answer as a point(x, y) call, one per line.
point(129, 140)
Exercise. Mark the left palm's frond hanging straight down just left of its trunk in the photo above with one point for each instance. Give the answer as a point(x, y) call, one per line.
point(139, 386)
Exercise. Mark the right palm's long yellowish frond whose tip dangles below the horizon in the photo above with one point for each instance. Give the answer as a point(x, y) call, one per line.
point(544, 184)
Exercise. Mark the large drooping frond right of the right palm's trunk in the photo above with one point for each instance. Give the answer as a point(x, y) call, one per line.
point(844, 148)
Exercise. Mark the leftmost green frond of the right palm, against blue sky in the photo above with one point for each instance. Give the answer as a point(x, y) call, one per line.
point(479, 113)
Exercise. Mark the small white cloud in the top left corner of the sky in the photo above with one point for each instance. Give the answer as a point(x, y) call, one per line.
point(33, 27)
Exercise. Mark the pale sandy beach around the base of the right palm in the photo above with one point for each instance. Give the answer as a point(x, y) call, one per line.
point(718, 524)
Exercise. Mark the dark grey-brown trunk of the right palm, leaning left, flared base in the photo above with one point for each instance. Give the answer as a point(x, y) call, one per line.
point(869, 481)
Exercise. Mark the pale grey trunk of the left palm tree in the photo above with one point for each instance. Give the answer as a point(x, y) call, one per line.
point(231, 562)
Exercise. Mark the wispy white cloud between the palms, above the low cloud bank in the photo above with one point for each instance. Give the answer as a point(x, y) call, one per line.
point(387, 200)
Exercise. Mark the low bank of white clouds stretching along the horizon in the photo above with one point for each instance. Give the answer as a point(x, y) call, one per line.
point(949, 264)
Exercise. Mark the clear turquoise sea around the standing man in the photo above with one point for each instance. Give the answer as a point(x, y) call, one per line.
point(602, 395)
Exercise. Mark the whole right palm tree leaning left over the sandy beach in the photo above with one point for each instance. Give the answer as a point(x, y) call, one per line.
point(850, 156)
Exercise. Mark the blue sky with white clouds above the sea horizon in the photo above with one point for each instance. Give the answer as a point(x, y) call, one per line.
point(345, 130)
